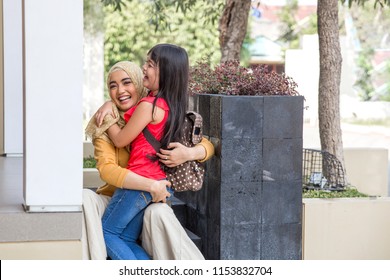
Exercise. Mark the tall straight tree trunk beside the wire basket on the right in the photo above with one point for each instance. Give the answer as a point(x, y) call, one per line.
point(329, 80)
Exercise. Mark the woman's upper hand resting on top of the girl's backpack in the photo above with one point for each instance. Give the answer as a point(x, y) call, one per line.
point(177, 154)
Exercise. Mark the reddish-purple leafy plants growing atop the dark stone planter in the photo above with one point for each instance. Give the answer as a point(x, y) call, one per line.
point(230, 78)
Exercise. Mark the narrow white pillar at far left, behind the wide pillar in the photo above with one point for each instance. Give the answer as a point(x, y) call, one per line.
point(13, 78)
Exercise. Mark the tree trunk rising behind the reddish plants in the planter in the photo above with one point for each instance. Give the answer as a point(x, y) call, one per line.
point(232, 28)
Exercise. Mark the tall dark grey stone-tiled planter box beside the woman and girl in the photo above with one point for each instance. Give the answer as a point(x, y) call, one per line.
point(251, 203)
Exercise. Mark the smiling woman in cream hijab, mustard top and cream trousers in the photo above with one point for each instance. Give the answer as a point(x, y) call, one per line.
point(111, 163)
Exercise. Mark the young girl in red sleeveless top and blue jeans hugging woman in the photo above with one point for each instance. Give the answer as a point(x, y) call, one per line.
point(162, 111)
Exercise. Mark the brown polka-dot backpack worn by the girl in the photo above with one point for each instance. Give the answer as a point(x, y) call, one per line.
point(189, 175)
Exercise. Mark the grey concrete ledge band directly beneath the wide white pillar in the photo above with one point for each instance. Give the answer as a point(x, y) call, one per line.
point(22, 226)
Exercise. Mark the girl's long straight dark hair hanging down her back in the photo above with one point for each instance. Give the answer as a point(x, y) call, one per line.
point(173, 65)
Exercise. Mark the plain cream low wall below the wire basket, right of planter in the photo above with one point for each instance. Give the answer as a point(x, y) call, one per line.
point(346, 228)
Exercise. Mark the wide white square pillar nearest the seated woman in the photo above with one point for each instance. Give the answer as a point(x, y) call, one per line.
point(53, 81)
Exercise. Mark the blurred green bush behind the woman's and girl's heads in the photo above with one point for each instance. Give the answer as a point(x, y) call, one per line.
point(130, 33)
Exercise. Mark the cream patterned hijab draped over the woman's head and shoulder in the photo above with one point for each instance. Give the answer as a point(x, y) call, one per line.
point(135, 73)
